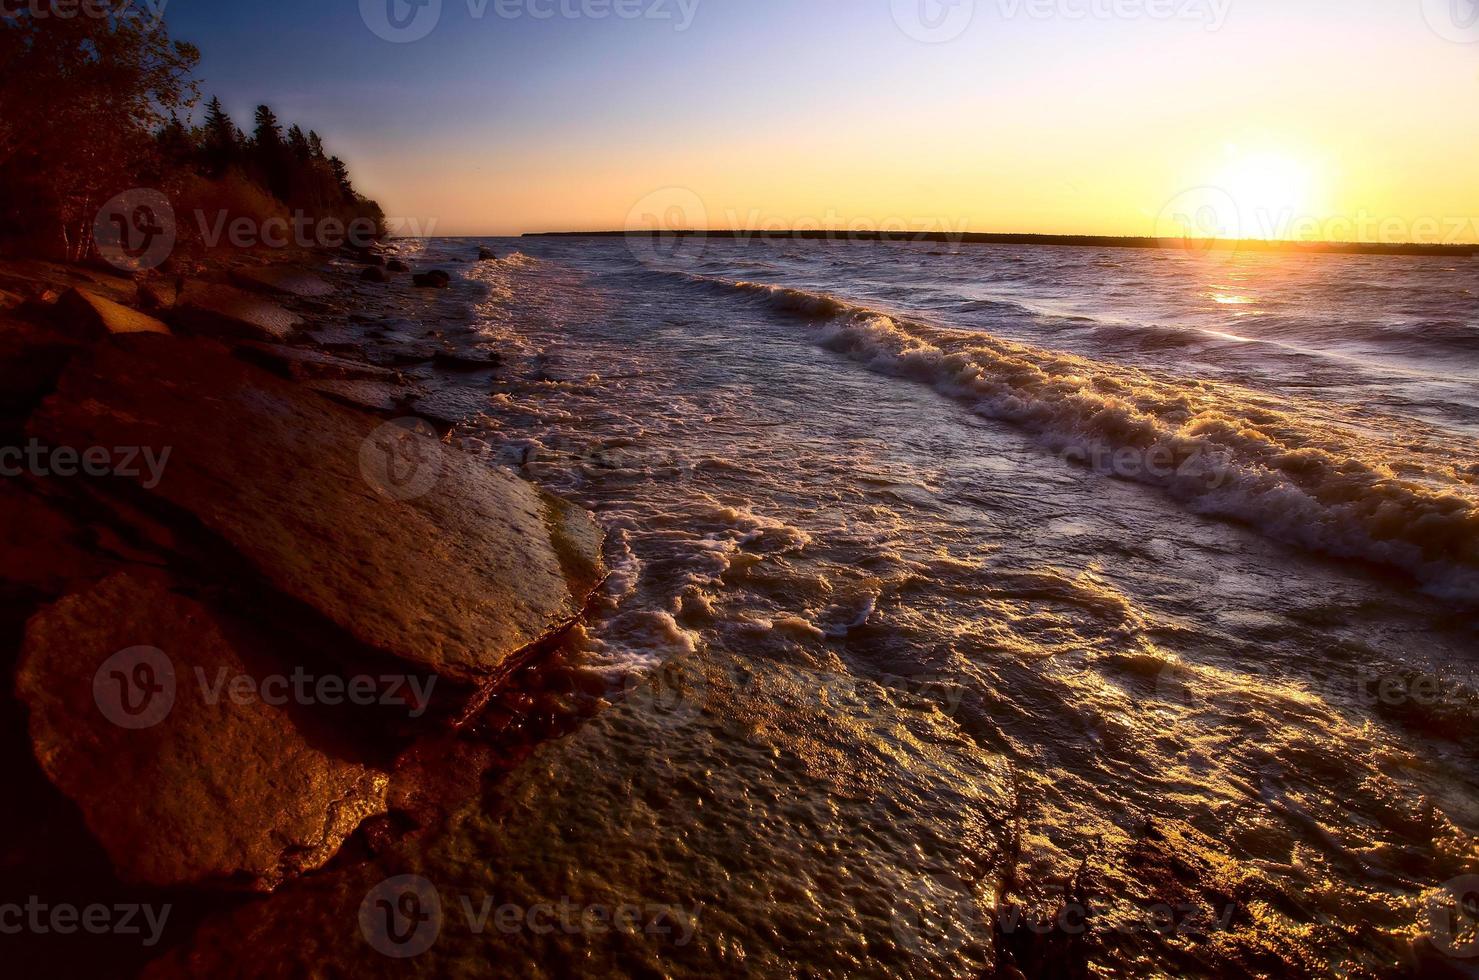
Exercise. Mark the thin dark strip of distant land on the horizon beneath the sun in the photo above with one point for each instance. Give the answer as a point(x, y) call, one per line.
point(1077, 242)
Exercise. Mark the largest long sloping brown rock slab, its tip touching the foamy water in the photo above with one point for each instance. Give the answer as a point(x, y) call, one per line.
point(407, 545)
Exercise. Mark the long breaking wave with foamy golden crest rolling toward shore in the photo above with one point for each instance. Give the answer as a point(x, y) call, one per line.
point(1299, 472)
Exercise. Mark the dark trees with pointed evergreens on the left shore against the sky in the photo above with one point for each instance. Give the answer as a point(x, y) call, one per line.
point(92, 107)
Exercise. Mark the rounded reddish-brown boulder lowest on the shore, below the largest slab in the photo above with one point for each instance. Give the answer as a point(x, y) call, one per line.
point(180, 787)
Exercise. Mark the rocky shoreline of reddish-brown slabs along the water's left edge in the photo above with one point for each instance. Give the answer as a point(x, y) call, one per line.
point(261, 617)
